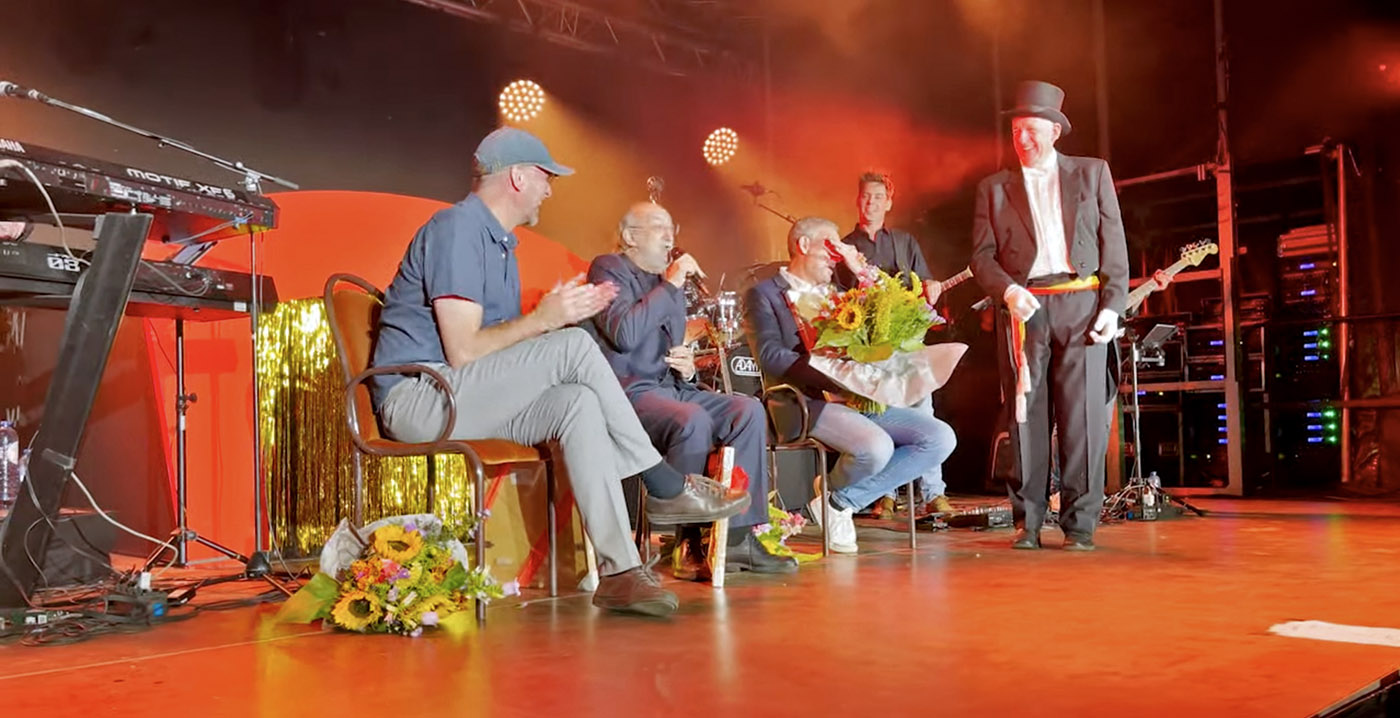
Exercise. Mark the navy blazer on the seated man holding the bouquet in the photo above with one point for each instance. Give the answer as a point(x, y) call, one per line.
point(778, 345)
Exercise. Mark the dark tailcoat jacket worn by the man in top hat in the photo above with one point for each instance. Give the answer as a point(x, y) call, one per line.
point(1004, 237)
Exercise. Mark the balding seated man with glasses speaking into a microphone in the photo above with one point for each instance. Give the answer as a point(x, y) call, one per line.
point(642, 334)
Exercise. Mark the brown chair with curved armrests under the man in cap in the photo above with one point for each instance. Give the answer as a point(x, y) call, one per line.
point(355, 318)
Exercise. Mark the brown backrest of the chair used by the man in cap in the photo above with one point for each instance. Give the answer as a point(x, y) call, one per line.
point(355, 320)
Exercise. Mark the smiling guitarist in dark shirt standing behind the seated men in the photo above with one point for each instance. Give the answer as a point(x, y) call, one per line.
point(894, 251)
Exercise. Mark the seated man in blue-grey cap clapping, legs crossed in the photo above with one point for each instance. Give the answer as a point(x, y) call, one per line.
point(456, 306)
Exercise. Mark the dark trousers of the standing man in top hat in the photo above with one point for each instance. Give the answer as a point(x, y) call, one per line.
point(1067, 386)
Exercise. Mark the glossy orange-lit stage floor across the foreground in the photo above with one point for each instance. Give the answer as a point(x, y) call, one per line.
point(1165, 619)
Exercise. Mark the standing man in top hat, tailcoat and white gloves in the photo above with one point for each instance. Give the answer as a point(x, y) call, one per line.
point(1048, 243)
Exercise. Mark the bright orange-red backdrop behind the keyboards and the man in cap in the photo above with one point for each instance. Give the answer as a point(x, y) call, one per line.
point(320, 234)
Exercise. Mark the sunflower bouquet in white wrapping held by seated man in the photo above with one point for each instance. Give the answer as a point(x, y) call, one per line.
point(871, 342)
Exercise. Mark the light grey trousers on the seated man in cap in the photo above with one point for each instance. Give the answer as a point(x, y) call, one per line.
point(554, 387)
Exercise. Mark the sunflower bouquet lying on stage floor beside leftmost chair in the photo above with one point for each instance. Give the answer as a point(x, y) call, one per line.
point(408, 575)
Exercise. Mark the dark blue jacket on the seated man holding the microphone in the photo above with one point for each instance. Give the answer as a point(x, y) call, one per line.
point(640, 327)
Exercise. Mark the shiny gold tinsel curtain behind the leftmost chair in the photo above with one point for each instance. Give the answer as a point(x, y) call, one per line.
point(309, 461)
